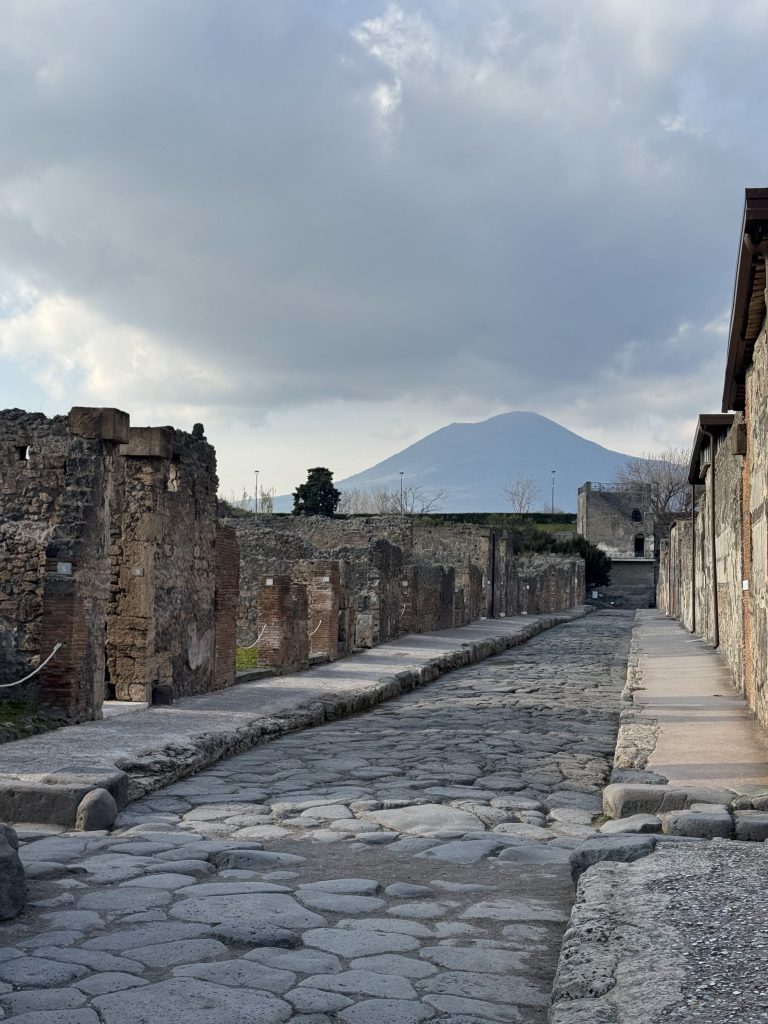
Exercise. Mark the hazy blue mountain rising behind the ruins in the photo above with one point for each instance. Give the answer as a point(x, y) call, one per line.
point(472, 462)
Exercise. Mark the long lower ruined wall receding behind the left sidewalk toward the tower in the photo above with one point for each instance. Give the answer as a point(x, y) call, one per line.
point(376, 577)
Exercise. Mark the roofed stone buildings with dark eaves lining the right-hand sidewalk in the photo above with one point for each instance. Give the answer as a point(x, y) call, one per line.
point(714, 572)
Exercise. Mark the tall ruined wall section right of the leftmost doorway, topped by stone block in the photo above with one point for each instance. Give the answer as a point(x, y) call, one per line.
point(161, 630)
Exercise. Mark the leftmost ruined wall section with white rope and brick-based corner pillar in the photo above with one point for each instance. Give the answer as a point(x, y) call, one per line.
point(57, 493)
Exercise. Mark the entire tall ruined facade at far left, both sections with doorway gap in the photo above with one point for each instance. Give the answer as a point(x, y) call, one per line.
point(111, 548)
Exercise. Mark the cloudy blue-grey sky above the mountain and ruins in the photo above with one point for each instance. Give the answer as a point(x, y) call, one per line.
point(325, 229)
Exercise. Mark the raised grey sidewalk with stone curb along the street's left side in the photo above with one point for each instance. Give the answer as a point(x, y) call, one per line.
point(44, 778)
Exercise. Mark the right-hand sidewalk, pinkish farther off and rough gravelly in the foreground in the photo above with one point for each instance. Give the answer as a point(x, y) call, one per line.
point(678, 935)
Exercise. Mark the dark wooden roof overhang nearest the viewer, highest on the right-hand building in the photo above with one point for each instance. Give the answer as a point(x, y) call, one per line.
point(748, 310)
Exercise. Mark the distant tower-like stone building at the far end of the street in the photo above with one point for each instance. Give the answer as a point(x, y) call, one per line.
point(619, 521)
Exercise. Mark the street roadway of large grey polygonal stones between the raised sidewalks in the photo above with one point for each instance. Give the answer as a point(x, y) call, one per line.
point(406, 865)
